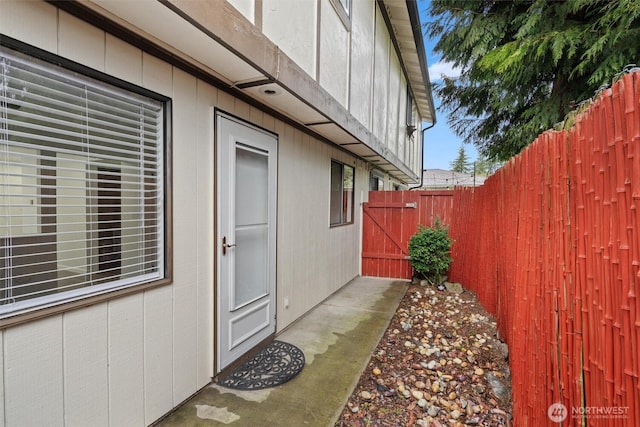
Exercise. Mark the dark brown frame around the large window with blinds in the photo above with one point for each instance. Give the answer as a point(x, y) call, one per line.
point(70, 300)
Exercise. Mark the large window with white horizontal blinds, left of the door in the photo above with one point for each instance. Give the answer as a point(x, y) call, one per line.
point(82, 206)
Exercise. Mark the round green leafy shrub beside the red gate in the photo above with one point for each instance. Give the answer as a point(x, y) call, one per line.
point(430, 251)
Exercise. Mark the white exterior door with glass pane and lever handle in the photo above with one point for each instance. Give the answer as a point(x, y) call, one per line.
point(246, 239)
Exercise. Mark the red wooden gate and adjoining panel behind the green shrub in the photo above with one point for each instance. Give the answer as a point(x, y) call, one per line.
point(390, 218)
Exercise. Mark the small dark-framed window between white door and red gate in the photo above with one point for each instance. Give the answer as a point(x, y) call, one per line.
point(342, 185)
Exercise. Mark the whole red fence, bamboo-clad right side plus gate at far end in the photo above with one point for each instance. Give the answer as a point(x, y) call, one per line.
point(551, 245)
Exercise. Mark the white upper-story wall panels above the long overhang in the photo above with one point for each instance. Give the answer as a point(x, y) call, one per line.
point(356, 62)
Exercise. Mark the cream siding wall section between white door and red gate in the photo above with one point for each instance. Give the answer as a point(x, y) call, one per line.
point(314, 259)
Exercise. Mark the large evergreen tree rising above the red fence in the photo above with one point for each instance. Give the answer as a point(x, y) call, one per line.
point(525, 63)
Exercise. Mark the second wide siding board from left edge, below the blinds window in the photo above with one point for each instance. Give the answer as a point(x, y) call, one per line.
point(86, 372)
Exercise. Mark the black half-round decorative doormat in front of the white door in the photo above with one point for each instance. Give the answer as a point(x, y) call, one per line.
point(276, 364)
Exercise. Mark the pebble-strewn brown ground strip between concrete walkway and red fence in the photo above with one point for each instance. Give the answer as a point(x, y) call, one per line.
point(439, 363)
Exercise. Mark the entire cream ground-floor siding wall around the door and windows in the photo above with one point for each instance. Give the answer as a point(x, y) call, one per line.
point(130, 360)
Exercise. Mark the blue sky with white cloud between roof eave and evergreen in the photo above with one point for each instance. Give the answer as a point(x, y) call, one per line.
point(441, 144)
